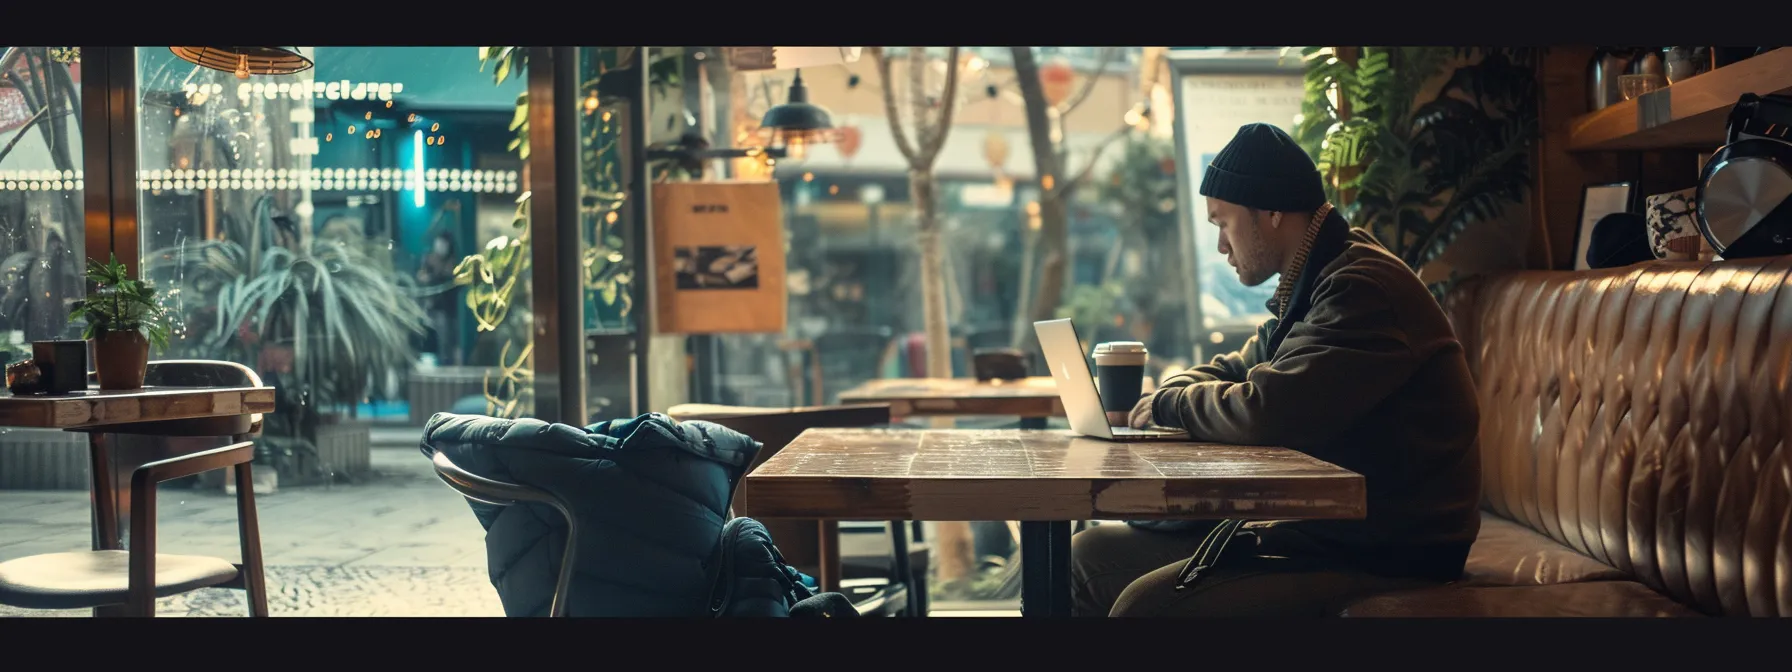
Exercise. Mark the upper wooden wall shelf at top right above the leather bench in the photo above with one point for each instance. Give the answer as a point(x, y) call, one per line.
point(1685, 116)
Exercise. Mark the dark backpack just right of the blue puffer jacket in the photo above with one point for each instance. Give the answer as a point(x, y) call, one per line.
point(754, 580)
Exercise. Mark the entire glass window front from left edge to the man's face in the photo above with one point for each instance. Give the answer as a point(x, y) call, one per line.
point(361, 236)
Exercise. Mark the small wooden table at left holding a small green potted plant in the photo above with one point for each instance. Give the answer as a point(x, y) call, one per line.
point(99, 413)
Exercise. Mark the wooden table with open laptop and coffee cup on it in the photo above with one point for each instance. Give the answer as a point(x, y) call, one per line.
point(1044, 479)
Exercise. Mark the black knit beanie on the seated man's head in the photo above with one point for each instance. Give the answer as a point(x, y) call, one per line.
point(1262, 168)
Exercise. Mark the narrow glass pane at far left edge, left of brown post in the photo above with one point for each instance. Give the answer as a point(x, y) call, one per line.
point(42, 250)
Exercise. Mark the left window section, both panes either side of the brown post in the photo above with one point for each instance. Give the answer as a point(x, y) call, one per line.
point(307, 227)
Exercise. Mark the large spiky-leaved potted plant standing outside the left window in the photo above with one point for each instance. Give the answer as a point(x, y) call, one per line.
point(318, 320)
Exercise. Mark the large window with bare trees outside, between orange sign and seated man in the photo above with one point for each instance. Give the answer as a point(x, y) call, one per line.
point(856, 277)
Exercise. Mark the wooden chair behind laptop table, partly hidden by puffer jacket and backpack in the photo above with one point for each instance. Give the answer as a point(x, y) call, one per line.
point(816, 544)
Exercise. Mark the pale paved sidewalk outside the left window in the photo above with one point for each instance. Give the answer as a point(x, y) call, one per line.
point(395, 546)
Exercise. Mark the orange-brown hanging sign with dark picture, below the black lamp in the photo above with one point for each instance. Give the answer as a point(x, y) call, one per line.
point(719, 259)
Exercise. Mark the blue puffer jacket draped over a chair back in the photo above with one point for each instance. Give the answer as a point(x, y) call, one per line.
point(651, 497)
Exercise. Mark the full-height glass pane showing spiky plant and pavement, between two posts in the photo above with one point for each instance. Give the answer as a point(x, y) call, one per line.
point(311, 227)
